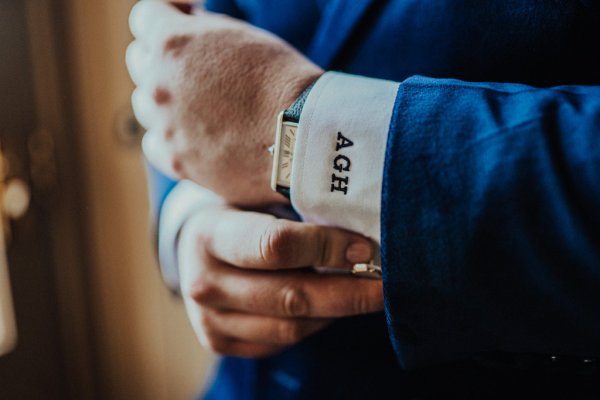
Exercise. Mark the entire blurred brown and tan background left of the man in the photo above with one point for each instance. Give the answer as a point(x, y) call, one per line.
point(93, 317)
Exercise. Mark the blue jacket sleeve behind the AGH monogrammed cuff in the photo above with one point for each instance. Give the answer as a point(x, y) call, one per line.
point(491, 220)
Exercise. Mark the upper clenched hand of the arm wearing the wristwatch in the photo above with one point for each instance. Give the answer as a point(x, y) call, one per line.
point(209, 89)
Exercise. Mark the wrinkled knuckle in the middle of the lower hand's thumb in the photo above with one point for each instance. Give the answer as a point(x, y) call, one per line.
point(276, 243)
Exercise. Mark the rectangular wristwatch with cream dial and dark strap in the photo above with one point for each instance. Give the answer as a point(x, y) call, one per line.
point(285, 140)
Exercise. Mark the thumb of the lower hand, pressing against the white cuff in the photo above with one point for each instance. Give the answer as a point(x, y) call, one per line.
point(260, 241)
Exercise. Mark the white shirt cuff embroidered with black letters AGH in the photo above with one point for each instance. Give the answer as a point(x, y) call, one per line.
point(361, 109)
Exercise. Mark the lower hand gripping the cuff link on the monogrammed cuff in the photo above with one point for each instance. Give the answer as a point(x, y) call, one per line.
point(246, 285)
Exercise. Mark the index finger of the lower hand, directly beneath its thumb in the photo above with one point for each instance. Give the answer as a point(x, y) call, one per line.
point(289, 295)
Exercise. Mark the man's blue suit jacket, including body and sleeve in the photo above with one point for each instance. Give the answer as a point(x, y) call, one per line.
point(490, 207)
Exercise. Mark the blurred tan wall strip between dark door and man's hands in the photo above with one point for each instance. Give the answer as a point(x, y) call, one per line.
point(143, 342)
